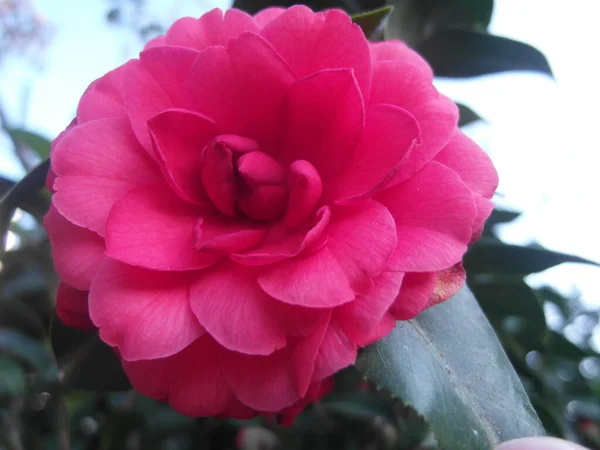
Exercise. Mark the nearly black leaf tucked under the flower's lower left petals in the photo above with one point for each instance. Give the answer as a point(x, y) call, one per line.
point(84, 361)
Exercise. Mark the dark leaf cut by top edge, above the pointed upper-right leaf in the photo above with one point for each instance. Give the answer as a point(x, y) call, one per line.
point(413, 21)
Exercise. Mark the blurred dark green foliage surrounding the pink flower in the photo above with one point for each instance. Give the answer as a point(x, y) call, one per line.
point(63, 390)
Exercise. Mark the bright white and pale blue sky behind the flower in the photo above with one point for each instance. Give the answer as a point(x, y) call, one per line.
point(541, 134)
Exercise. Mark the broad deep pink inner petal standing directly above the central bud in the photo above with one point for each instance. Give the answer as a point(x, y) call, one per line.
point(241, 88)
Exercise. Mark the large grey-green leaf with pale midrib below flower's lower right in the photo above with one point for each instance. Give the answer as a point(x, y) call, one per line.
point(448, 365)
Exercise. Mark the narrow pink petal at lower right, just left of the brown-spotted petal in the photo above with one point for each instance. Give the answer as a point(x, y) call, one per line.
point(359, 318)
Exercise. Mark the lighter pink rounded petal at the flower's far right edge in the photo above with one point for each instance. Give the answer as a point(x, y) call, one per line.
point(471, 163)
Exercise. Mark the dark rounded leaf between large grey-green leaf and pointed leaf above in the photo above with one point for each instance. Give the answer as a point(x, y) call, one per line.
point(503, 299)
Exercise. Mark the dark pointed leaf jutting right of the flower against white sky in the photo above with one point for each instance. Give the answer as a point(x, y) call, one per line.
point(489, 255)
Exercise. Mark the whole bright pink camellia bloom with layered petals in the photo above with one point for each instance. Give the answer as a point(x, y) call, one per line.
point(255, 198)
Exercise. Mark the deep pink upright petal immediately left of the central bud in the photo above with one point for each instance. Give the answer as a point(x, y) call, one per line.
point(179, 138)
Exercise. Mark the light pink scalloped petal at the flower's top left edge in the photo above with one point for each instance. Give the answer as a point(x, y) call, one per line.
point(211, 29)
